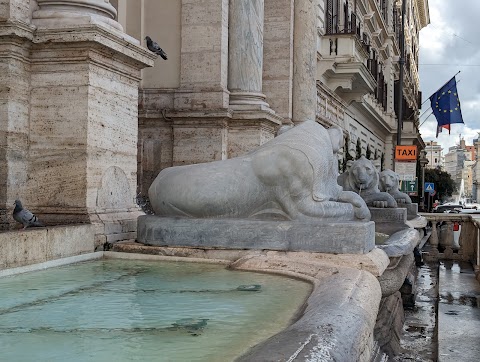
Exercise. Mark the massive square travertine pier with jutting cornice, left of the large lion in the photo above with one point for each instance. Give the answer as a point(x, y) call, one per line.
point(83, 129)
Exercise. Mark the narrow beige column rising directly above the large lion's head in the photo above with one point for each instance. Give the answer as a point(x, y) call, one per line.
point(304, 62)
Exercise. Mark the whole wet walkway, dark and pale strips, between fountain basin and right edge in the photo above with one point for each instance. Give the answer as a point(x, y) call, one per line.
point(444, 326)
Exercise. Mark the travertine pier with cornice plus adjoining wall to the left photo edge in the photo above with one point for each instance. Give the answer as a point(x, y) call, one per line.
point(69, 106)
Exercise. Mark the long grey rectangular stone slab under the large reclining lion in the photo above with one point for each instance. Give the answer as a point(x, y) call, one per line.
point(345, 237)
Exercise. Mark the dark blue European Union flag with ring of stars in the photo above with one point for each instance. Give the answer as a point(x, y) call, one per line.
point(446, 105)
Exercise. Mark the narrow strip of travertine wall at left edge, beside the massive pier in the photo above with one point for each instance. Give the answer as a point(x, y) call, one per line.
point(15, 42)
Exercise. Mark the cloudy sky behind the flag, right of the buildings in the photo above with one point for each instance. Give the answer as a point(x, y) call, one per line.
point(451, 43)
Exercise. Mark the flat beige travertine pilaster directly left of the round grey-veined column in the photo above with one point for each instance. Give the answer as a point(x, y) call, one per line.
point(204, 55)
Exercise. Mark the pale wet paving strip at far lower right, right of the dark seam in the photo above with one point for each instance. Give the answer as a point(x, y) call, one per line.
point(458, 313)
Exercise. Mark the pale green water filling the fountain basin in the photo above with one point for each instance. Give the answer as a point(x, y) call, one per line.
point(116, 310)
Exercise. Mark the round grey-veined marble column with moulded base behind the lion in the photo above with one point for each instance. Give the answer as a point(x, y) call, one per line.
point(245, 54)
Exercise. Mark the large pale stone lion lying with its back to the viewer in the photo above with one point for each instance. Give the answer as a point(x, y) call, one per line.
point(291, 177)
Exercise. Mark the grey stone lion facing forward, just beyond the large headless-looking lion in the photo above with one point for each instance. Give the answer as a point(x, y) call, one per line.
point(362, 177)
